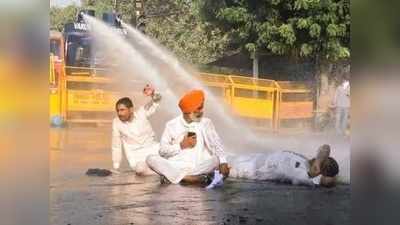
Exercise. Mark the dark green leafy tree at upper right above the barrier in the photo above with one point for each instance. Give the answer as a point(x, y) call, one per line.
point(317, 29)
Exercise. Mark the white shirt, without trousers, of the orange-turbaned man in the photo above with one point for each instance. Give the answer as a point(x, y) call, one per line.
point(208, 142)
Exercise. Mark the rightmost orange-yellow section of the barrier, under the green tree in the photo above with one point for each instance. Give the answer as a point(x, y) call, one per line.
point(295, 104)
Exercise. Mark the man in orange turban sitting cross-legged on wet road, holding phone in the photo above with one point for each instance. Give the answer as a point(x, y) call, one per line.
point(190, 145)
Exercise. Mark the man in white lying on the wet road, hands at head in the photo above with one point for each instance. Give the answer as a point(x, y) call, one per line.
point(287, 166)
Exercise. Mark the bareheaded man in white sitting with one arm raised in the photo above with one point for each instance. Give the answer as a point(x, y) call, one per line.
point(132, 131)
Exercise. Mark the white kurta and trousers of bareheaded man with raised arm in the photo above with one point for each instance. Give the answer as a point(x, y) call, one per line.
point(136, 137)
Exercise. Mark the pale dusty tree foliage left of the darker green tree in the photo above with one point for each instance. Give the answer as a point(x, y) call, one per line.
point(176, 25)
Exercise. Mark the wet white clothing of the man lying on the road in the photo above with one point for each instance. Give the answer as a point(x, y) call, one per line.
point(278, 166)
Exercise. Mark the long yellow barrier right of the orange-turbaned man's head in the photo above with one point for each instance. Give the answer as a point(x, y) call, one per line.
point(263, 103)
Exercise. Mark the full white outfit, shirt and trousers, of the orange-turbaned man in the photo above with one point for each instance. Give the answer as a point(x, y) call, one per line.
point(175, 163)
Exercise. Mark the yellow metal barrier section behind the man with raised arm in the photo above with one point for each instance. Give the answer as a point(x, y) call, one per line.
point(92, 98)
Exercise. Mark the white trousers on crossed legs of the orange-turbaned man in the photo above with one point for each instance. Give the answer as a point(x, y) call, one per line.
point(175, 172)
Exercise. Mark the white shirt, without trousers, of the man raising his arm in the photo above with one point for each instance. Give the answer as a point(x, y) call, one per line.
point(132, 135)
